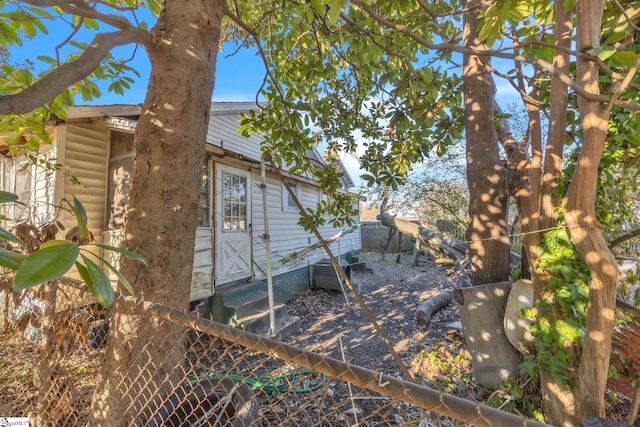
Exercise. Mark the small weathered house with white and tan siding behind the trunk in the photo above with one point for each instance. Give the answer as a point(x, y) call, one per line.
point(95, 145)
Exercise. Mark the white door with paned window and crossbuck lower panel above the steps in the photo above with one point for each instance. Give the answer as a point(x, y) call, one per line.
point(233, 224)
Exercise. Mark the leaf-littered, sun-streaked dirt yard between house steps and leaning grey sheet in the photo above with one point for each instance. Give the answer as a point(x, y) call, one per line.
point(333, 323)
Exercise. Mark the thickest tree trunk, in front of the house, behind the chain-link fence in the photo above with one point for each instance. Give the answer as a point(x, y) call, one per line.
point(169, 142)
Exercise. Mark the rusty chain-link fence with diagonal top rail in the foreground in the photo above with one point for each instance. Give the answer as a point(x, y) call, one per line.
point(74, 363)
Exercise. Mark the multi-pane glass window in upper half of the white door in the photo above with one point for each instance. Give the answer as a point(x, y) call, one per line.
point(234, 202)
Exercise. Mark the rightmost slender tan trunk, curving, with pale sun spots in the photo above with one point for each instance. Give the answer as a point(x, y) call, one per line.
point(586, 231)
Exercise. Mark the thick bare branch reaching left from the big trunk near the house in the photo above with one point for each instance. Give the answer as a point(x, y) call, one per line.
point(54, 83)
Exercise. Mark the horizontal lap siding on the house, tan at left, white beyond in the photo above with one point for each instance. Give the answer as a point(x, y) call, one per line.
point(84, 149)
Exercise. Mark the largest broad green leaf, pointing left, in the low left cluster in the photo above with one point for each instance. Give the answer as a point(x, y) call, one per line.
point(46, 264)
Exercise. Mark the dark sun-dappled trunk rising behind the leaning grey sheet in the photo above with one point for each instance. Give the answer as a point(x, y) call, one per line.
point(487, 232)
